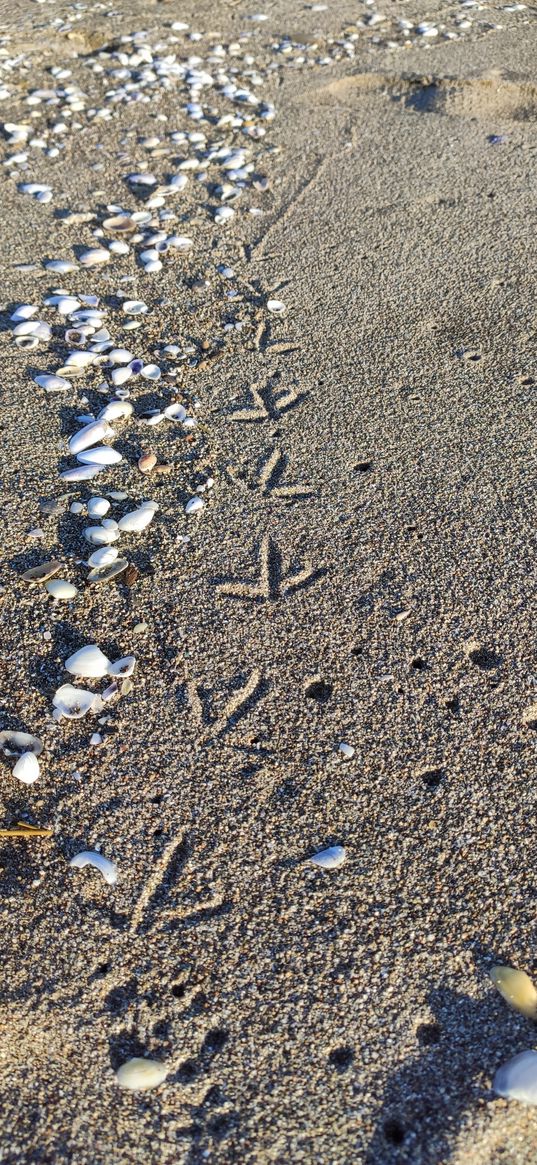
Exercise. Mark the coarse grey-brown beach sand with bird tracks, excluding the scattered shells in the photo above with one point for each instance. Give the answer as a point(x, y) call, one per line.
point(307, 1016)
